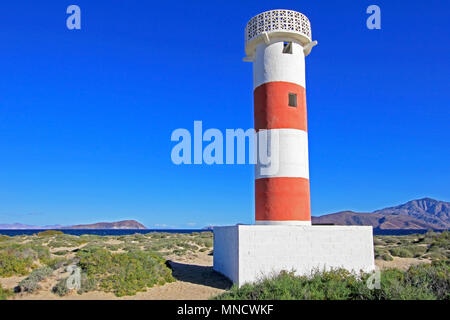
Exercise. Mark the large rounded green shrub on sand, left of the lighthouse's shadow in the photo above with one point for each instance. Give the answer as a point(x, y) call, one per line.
point(124, 273)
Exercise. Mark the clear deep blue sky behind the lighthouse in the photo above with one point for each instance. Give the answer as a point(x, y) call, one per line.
point(86, 116)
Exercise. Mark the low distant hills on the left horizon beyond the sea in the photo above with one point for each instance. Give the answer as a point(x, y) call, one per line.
point(125, 224)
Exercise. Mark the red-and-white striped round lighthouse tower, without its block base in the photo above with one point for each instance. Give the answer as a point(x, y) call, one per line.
point(277, 42)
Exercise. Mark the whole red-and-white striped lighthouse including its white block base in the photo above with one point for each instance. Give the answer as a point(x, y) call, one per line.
point(283, 238)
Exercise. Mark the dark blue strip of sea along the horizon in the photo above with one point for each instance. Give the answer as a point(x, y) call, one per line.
point(120, 232)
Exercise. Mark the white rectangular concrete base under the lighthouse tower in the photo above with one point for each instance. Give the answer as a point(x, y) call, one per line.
point(247, 253)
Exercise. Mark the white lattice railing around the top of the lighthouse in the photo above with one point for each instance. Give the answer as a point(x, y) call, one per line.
point(278, 20)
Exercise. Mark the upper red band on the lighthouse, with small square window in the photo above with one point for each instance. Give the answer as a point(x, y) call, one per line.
point(272, 110)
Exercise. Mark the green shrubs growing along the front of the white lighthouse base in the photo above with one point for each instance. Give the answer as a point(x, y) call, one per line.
point(422, 282)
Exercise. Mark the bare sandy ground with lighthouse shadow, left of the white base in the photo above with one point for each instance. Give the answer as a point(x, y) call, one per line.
point(194, 274)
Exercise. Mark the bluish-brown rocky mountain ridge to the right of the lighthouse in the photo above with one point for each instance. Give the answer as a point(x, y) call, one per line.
point(423, 213)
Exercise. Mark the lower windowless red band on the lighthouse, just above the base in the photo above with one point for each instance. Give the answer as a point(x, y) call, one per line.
point(282, 199)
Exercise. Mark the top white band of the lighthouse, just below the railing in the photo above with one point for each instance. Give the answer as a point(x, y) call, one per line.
point(271, 64)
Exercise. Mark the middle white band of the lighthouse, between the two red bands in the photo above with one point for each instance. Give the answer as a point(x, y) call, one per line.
point(287, 153)
